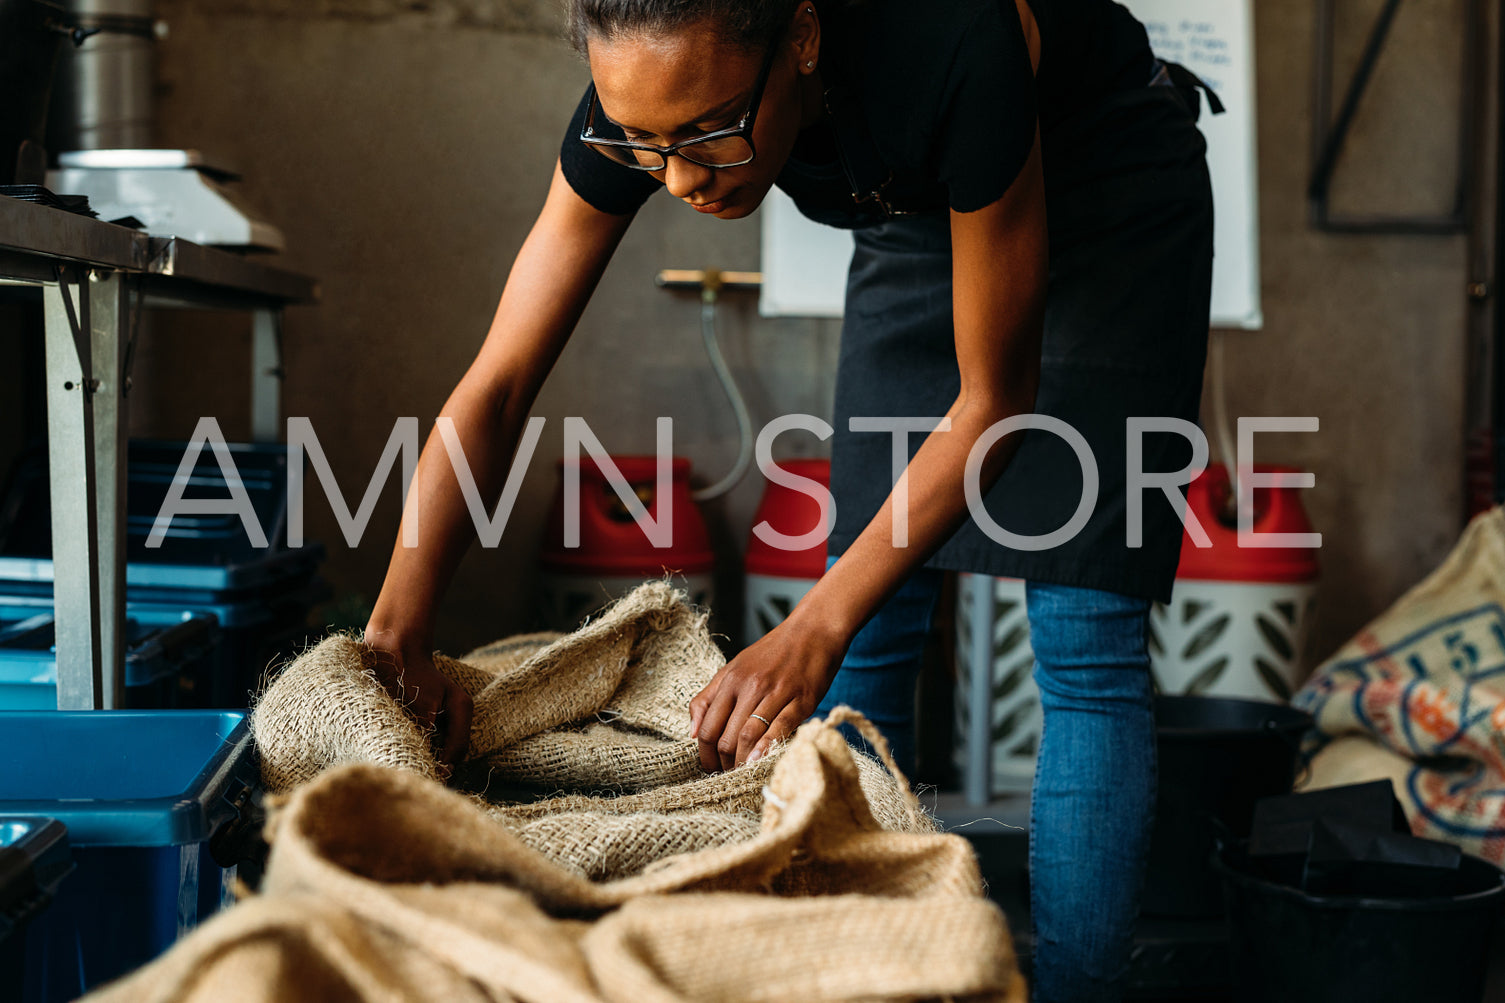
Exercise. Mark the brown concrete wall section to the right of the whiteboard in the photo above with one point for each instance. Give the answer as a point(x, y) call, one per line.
point(1367, 334)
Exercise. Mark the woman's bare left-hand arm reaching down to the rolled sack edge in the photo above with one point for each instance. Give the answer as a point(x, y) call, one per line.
point(552, 281)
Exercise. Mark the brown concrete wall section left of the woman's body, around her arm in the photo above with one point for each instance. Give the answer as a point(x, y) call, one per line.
point(406, 150)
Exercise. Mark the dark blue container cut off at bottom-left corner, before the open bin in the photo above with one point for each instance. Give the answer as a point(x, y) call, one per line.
point(34, 861)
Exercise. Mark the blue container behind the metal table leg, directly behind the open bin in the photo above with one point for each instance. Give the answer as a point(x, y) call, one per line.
point(166, 653)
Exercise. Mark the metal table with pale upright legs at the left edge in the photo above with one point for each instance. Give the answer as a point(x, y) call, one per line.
point(94, 279)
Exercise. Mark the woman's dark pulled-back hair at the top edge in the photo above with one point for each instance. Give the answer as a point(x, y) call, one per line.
point(747, 23)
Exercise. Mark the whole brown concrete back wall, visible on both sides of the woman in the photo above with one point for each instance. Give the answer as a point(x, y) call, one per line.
point(406, 147)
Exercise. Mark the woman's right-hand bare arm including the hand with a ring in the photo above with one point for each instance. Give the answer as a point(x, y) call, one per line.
point(1000, 272)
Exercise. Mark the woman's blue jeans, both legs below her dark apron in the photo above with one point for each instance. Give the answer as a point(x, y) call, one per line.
point(1093, 800)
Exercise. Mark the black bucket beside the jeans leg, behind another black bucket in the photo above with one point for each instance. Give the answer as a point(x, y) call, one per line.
point(1218, 757)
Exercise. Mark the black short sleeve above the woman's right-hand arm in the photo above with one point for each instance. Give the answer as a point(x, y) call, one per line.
point(988, 111)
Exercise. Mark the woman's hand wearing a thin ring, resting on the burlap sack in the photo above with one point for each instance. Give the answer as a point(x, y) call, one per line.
point(780, 680)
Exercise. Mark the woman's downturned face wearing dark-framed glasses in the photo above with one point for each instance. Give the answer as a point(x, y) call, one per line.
point(666, 90)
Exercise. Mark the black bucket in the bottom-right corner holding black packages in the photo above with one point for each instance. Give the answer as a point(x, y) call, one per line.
point(1298, 948)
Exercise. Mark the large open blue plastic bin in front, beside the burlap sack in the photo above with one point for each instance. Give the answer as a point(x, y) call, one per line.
point(147, 796)
